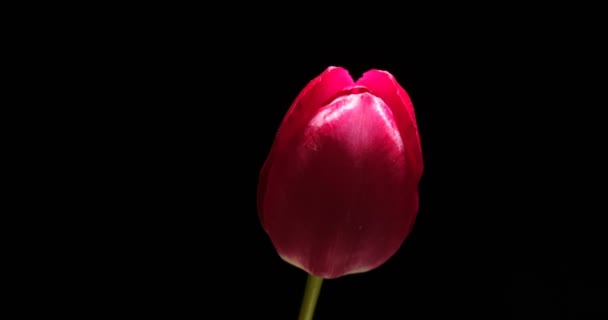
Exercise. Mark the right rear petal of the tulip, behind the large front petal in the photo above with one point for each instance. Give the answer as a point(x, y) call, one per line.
point(384, 85)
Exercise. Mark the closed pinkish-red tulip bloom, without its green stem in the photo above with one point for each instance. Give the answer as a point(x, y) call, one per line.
point(338, 193)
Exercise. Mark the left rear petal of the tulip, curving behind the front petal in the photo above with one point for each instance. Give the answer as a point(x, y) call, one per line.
point(316, 93)
